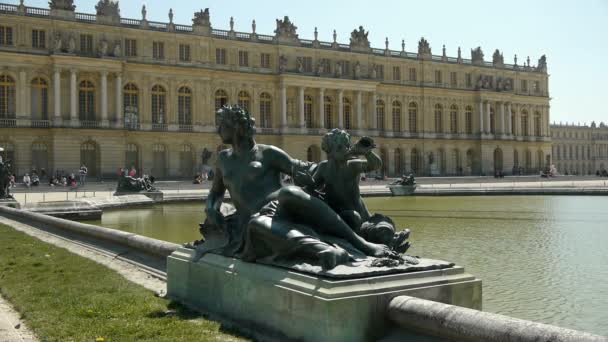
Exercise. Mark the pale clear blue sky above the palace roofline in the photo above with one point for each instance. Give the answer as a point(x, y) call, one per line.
point(573, 34)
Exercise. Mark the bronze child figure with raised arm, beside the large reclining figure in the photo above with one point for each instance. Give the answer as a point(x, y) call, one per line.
point(339, 176)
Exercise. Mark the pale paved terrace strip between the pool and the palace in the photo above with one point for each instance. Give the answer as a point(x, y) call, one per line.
point(427, 186)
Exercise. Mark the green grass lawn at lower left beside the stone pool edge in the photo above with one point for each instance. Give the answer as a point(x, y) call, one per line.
point(65, 297)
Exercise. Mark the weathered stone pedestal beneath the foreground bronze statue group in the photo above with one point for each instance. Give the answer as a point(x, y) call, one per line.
point(281, 304)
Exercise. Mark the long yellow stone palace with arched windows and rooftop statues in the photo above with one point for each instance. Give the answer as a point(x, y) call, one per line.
point(111, 92)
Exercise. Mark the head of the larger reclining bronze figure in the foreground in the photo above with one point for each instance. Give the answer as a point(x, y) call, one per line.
point(234, 121)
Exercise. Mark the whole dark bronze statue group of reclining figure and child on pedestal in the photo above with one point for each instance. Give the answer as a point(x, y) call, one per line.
point(270, 222)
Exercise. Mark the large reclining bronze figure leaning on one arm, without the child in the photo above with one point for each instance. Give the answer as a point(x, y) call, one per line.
point(272, 220)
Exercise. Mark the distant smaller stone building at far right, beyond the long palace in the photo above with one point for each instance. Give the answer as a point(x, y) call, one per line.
point(580, 149)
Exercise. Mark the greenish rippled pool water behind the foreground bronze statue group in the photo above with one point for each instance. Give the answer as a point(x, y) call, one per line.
point(542, 258)
